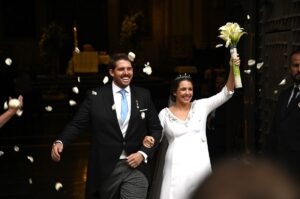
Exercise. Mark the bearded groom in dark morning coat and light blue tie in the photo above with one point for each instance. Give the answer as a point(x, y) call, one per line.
point(119, 163)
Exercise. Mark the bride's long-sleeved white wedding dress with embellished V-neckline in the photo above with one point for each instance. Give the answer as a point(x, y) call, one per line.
point(187, 160)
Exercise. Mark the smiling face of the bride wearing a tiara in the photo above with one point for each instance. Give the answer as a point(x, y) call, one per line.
point(184, 92)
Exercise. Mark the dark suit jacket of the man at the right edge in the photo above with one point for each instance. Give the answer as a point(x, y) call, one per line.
point(283, 141)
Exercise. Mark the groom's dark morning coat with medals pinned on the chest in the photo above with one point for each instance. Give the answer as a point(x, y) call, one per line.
point(107, 142)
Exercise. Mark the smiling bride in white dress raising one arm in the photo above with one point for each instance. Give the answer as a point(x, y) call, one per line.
point(187, 160)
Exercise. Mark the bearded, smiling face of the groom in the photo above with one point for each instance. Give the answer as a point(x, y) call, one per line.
point(122, 73)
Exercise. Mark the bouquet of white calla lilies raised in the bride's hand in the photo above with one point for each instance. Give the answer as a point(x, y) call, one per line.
point(231, 34)
